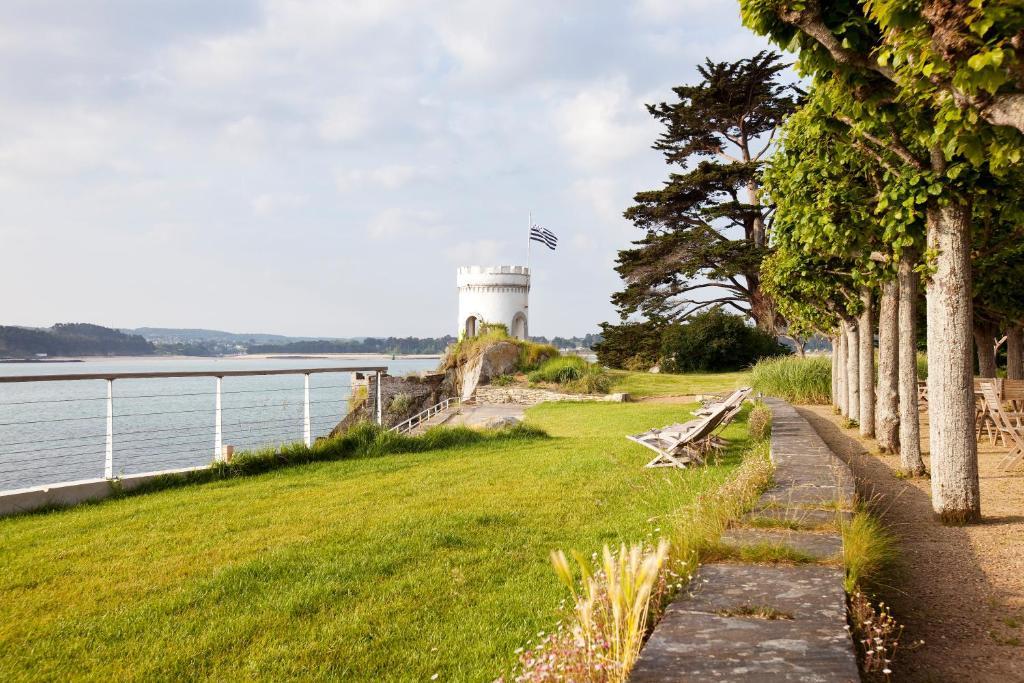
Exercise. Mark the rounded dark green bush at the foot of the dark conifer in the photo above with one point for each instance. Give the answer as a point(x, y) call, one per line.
point(715, 340)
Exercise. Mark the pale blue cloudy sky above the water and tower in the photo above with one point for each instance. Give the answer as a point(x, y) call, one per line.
point(322, 167)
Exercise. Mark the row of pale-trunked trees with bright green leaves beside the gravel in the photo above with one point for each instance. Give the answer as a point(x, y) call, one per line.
point(904, 161)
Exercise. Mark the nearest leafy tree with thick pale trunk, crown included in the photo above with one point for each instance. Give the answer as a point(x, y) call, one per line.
point(850, 46)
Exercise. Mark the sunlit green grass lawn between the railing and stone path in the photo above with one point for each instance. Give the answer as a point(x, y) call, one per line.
point(394, 568)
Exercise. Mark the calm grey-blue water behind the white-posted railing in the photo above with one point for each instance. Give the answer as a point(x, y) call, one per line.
point(56, 432)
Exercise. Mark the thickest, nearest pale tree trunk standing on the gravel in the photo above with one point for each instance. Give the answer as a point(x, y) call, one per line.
point(956, 493)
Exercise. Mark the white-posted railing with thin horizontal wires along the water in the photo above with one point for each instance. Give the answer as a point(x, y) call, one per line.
point(36, 447)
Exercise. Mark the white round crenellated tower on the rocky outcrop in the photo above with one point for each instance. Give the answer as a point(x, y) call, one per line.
point(494, 294)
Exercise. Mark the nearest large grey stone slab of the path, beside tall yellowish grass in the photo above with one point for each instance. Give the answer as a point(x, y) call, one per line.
point(715, 636)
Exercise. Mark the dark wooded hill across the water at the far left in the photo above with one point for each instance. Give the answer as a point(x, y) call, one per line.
point(71, 339)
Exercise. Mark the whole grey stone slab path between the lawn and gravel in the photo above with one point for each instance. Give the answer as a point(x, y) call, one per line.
point(779, 622)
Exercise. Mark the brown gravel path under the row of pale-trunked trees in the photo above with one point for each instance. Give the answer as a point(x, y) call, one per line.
point(960, 589)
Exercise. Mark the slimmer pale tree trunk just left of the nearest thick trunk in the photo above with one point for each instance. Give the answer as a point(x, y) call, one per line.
point(910, 418)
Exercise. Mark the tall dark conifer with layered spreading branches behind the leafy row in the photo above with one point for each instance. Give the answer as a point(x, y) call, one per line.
point(707, 231)
